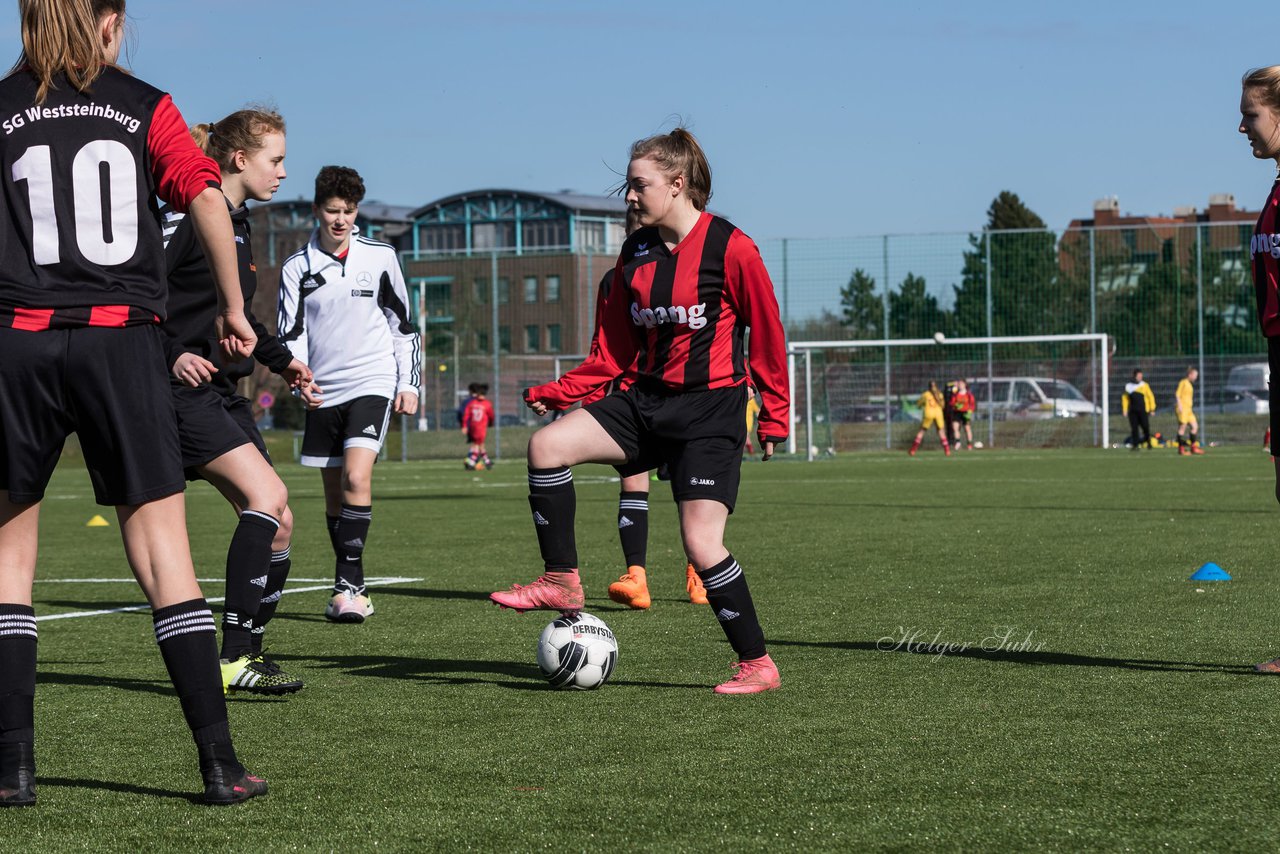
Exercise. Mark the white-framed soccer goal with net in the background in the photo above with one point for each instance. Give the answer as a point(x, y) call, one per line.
point(1031, 391)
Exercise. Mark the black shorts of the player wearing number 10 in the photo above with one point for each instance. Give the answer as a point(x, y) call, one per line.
point(106, 385)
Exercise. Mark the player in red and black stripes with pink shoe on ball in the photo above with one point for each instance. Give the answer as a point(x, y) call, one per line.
point(687, 289)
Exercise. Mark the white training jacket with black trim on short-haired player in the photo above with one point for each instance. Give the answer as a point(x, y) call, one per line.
point(350, 322)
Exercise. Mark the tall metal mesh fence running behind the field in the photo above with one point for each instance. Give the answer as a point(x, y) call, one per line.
point(1167, 295)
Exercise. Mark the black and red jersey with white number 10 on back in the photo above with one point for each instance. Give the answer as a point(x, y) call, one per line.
point(81, 243)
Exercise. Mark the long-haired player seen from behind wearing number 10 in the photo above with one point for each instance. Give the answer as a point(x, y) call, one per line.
point(86, 149)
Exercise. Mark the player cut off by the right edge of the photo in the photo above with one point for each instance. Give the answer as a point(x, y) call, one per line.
point(1260, 122)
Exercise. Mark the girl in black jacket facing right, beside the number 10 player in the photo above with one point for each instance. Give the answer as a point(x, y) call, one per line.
point(221, 442)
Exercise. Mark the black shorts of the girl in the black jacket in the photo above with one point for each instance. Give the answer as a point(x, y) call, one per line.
point(211, 424)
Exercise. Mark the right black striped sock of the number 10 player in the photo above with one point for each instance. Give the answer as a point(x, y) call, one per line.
point(189, 645)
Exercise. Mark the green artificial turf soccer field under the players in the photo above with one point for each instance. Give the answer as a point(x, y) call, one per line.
point(1104, 701)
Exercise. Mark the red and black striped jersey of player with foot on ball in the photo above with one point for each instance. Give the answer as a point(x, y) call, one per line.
point(678, 318)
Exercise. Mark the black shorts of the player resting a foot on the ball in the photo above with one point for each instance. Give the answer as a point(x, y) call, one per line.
point(698, 435)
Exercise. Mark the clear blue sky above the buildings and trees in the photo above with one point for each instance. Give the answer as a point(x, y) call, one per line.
point(820, 118)
